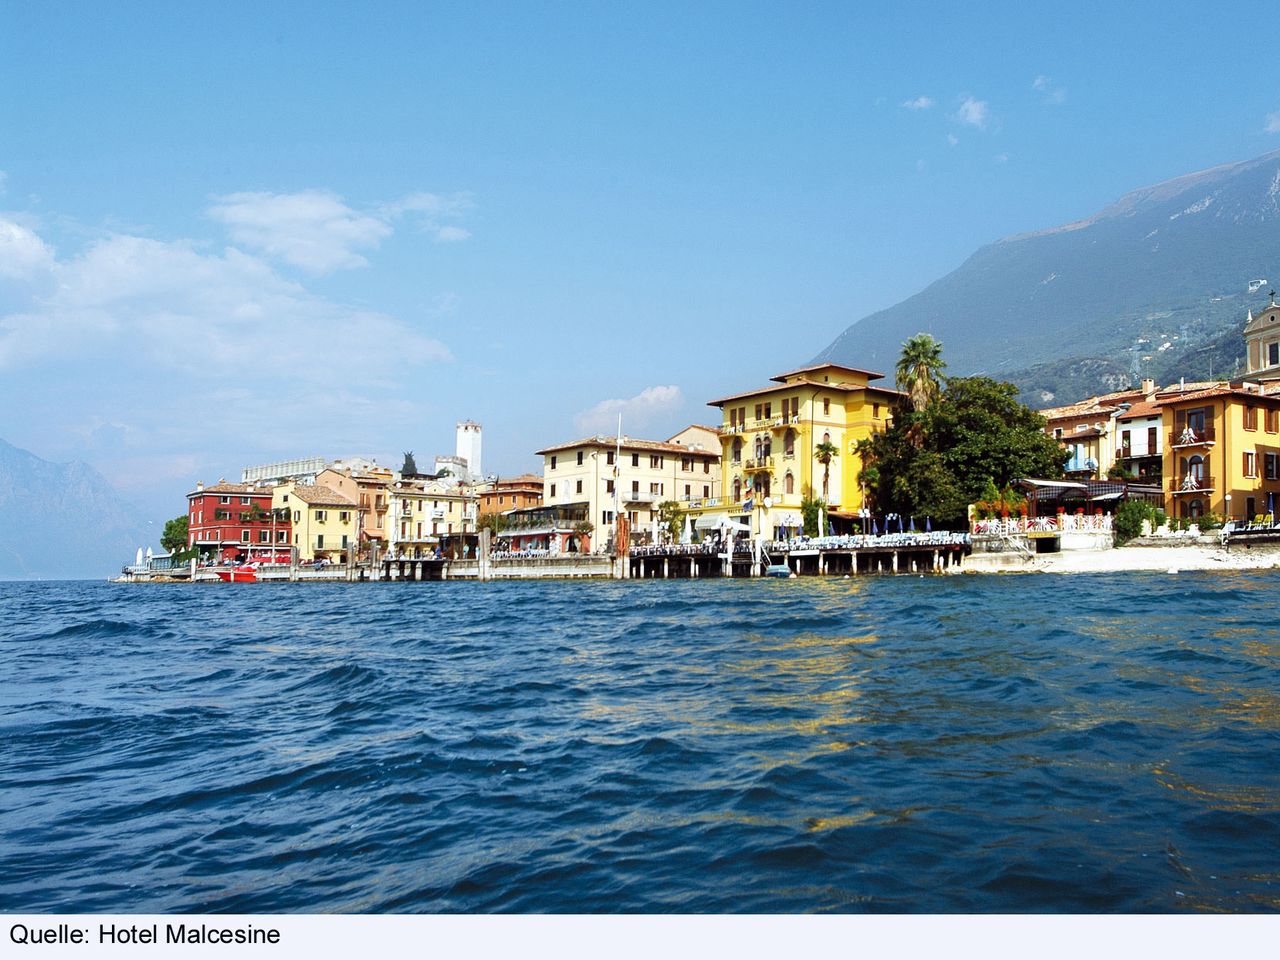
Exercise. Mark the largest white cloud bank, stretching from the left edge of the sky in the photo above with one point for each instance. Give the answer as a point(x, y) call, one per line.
point(153, 309)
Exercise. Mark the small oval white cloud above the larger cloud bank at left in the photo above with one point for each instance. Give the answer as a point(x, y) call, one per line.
point(312, 230)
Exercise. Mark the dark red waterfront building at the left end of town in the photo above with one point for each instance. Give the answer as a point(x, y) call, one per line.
point(234, 524)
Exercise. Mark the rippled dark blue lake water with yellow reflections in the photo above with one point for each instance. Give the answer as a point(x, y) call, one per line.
point(895, 744)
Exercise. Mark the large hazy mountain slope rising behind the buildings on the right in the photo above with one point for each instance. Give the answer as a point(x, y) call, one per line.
point(1155, 285)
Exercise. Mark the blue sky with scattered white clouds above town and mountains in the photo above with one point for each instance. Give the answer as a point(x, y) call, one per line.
point(236, 235)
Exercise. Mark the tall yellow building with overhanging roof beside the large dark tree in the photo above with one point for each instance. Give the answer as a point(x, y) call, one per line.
point(770, 441)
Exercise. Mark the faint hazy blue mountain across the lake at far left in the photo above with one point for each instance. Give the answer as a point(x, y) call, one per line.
point(62, 522)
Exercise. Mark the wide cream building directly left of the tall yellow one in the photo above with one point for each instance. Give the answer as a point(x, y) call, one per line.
point(591, 476)
